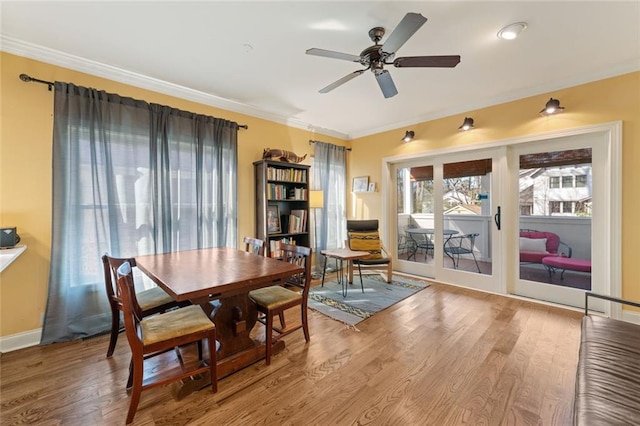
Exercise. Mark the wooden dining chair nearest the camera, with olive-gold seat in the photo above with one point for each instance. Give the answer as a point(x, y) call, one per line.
point(154, 335)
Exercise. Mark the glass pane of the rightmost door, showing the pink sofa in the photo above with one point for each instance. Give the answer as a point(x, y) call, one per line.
point(555, 205)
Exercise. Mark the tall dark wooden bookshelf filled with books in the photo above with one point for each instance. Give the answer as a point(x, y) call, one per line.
point(282, 192)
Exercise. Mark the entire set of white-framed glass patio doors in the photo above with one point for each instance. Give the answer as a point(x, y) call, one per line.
point(564, 183)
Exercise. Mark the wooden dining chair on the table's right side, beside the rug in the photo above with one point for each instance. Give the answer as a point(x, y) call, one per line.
point(276, 299)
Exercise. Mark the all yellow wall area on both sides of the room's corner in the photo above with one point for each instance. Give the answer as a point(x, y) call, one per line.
point(25, 161)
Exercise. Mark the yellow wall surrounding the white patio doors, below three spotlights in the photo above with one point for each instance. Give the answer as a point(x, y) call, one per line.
point(599, 102)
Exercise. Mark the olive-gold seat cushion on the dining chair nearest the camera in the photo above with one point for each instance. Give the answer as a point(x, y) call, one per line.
point(162, 327)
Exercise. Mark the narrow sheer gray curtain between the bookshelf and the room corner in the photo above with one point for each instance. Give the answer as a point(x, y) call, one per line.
point(329, 174)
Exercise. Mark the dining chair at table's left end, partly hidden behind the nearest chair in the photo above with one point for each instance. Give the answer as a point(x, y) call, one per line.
point(151, 301)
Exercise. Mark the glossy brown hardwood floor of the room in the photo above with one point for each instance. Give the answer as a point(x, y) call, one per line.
point(445, 356)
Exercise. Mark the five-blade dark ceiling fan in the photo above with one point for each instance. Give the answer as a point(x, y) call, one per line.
point(375, 57)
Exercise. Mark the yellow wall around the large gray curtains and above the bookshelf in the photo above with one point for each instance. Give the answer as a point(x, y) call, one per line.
point(25, 173)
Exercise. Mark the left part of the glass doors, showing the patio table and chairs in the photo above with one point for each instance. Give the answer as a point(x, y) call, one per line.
point(447, 223)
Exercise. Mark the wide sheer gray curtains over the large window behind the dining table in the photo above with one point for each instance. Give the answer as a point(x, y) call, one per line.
point(129, 178)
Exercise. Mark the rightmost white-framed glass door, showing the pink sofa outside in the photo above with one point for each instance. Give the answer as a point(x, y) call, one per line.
point(561, 193)
